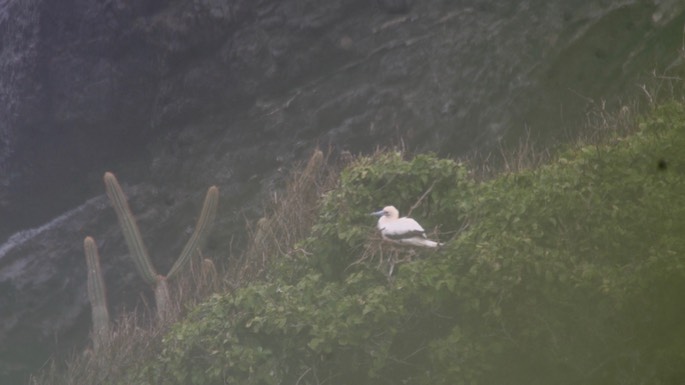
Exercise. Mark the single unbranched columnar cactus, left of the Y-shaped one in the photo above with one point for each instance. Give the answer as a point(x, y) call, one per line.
point(96, 294)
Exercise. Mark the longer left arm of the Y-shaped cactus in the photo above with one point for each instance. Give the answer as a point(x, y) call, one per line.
point(130, 229)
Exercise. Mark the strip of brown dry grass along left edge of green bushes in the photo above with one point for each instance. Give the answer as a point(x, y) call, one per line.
point(136, 335)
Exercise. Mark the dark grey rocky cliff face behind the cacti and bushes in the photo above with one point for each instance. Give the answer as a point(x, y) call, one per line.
point(175, 96)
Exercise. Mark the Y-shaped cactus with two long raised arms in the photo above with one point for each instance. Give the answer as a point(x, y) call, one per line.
point(138, 250)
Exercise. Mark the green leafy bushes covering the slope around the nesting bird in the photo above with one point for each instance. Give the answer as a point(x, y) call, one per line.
point(568, 273)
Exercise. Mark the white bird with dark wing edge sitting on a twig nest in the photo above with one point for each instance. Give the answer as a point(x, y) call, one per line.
point(402, 230)
